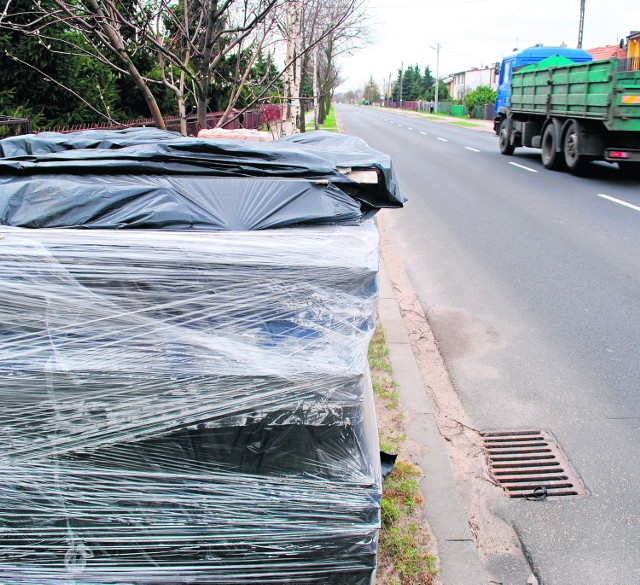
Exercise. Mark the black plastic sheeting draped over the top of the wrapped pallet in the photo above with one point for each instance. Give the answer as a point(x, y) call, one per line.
point(153, 179)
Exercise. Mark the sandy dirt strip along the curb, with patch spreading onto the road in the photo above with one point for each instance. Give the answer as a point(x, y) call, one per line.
point(465, 336)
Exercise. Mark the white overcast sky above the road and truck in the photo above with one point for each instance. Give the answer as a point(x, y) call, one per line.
point(474, 33)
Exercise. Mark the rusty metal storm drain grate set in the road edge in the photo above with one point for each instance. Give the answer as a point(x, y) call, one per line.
point(529, 464)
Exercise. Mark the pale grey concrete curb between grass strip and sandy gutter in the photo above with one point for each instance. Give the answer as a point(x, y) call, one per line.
point(443, 510)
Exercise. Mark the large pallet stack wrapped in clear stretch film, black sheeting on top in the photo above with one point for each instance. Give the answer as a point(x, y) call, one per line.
point(187, 404)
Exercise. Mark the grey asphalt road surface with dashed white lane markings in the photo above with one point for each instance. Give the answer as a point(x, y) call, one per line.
point(532, 281)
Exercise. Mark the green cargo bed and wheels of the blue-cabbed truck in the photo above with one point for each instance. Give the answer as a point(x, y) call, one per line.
point(575, 113)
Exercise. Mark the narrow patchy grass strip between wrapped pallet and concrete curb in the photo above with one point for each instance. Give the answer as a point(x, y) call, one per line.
point(405, 556)
